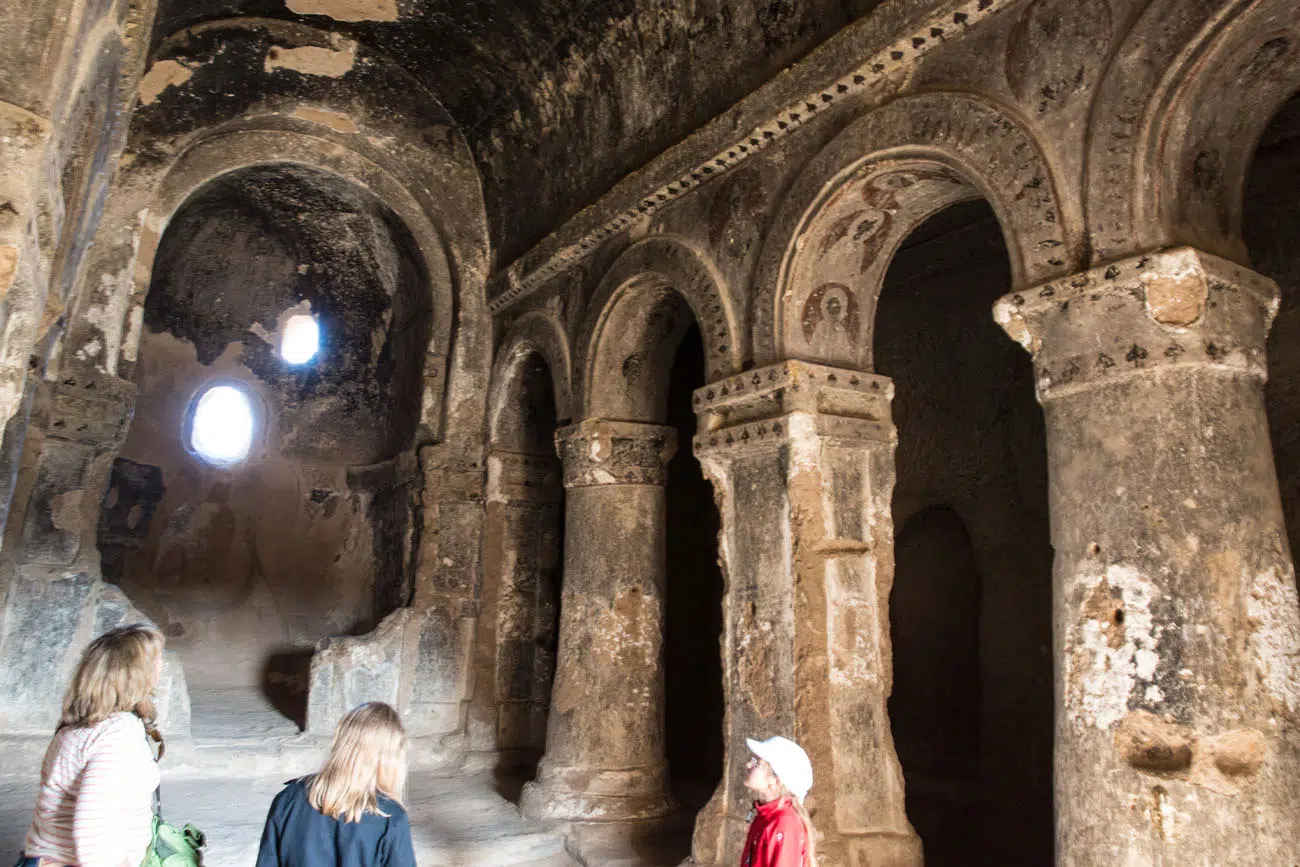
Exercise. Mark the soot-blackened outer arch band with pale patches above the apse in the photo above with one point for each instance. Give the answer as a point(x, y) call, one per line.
point(317, 83)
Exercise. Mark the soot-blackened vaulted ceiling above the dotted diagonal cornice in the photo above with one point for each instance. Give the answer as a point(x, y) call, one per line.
point(560, 99)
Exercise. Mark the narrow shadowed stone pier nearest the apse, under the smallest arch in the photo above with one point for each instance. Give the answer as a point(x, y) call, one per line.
point(513, 664)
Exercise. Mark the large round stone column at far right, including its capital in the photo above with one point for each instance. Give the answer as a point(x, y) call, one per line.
point(1177, 627)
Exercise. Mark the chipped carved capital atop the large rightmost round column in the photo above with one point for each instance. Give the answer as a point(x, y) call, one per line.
point(1177, 307)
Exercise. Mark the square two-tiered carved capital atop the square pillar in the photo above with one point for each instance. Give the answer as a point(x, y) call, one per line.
point(770, 405)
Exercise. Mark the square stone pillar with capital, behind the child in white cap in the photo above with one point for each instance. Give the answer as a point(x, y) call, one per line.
point(803, 458)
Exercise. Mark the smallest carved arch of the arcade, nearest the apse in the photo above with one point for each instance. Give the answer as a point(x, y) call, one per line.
point(534, 333)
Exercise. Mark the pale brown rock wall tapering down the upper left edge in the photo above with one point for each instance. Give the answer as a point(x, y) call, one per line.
point(66, 90)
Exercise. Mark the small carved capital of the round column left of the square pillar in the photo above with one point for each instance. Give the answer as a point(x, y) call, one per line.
point(600, 452)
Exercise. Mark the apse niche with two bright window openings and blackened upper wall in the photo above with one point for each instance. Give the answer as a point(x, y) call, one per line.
point(258, 506)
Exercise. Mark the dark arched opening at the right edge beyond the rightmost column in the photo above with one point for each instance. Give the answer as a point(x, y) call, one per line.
point(1272, 223)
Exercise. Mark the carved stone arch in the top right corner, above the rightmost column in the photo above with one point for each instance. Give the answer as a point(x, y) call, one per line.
point(1177, 123)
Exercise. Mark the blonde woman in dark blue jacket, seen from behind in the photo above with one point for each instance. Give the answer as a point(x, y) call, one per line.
point(350, 813)
